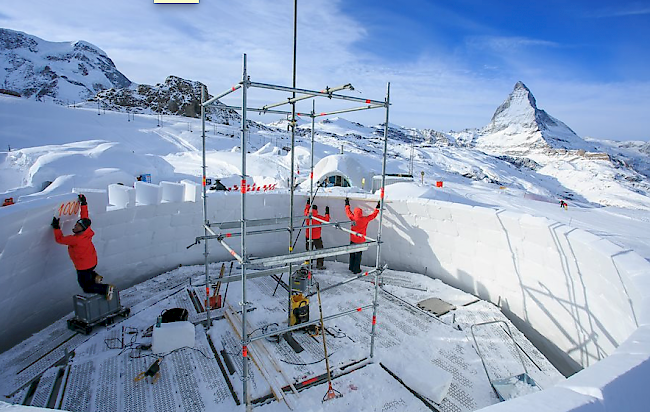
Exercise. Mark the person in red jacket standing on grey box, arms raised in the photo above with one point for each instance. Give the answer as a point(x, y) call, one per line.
point(82, 252)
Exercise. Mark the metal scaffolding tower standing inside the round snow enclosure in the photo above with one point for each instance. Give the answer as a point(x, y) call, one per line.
point(286, 261)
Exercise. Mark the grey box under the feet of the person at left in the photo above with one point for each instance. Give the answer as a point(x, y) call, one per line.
point(93, 309)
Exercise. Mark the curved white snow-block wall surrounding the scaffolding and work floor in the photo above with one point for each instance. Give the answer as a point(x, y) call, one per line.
point(587, 297)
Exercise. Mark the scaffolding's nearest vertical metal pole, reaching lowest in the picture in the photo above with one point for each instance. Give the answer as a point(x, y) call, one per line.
point(245, 339)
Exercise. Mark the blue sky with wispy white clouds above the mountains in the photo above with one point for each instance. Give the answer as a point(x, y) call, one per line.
point(450, 63)
